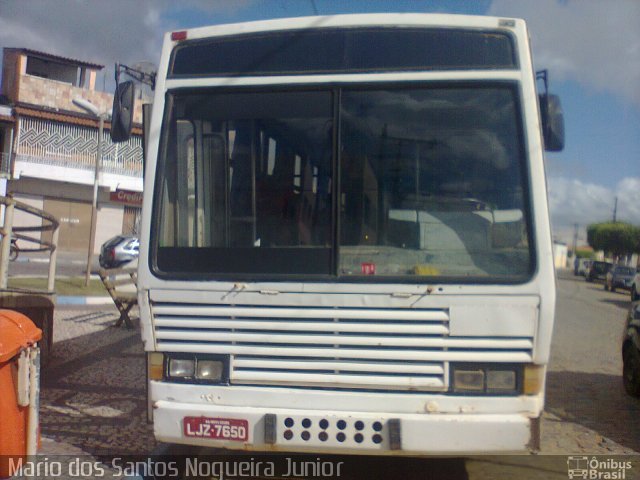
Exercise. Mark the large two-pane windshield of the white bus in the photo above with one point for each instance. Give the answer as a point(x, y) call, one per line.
point(383, 183)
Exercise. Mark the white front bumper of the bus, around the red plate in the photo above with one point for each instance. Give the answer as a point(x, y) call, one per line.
point(352, 432)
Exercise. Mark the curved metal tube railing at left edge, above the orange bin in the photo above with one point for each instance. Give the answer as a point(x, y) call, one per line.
point(49, 223)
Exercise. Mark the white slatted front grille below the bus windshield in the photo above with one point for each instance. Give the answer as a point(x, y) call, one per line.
point(345, 348)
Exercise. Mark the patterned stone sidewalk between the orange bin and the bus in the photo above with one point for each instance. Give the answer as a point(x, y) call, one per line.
point(93, 398)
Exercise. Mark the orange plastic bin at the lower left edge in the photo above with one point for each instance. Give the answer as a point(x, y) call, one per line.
point(17, 335)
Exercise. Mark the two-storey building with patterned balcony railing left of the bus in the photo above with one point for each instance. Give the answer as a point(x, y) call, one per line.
point(48, 147)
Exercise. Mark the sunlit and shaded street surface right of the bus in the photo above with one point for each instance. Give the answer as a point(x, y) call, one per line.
point(587, 410)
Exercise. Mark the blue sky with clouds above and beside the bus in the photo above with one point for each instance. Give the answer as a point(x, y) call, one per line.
point(590, 47)
